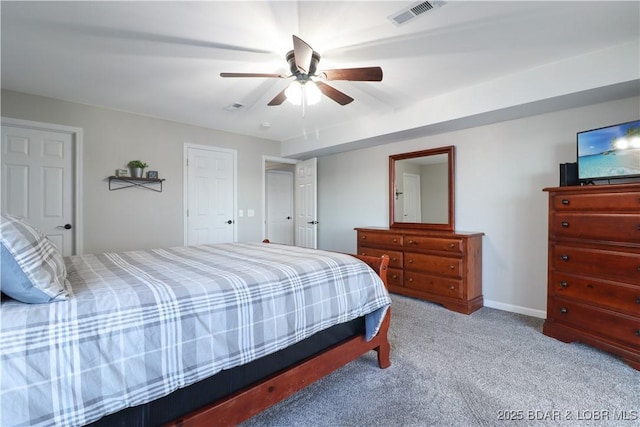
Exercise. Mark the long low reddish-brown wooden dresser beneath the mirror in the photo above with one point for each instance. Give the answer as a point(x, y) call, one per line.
point(439, 266)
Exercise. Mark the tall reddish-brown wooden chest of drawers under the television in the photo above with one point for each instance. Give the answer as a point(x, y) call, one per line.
point(594, 267)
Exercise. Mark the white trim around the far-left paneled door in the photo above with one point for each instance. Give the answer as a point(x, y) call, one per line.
point(76, 134)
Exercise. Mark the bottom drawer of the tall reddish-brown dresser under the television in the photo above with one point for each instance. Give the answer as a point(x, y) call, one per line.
point(606, 323)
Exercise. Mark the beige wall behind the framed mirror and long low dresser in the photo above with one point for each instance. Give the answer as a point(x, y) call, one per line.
point(500, 173)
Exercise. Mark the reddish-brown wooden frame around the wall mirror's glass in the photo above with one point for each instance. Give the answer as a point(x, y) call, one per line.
point(450, 225)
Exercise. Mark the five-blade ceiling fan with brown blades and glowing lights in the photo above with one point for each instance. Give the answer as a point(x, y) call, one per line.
point(303, 63)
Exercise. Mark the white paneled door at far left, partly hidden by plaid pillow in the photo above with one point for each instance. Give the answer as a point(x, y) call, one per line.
point(37, 181)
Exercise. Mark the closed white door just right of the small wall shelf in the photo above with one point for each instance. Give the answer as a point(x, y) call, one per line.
point(210, 193)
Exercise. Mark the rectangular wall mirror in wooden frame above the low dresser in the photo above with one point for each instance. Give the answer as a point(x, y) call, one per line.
point(422, 189)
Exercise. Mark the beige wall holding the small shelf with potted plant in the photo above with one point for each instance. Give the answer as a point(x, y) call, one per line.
point(137, 218)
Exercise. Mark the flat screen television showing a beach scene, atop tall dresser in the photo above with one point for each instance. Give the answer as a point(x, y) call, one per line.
point(611, 152)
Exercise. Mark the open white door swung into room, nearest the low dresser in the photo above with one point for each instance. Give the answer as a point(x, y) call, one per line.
point(306, 223)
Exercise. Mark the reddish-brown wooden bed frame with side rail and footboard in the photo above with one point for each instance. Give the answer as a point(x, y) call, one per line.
point(254, 399)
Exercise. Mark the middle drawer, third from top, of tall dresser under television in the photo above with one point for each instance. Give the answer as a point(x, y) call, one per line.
point(597, 263)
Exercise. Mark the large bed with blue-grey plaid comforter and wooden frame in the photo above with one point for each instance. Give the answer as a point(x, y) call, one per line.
point(201, 335)
